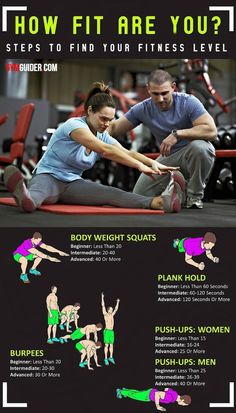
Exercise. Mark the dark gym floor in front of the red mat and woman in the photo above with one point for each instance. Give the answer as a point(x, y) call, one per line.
point(219, 213)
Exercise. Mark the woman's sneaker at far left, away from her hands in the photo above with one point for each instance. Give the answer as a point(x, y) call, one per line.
point(14, 182)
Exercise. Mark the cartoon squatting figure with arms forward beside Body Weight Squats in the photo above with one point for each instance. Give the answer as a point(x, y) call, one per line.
point(28, 251)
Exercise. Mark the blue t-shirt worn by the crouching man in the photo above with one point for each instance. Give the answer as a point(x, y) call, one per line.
point(183, 111)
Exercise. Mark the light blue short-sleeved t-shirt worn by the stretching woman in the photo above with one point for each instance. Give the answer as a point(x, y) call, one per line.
point(66, 159)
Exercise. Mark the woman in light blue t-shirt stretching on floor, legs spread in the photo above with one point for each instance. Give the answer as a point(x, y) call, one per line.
point(75, 147)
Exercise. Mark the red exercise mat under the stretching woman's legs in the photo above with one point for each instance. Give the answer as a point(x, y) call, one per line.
point(87, 210)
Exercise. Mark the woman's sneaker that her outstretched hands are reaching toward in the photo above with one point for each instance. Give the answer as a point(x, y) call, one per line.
point(173, 196)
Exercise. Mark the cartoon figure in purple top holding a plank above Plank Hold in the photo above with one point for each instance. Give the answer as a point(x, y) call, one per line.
point(193, 247)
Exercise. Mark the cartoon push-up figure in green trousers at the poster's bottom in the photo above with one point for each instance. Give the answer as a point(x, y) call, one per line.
point(153, 395)
